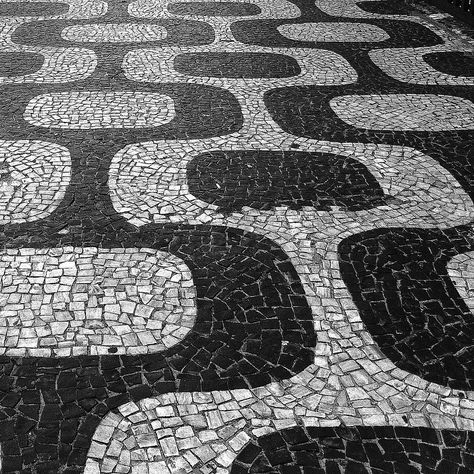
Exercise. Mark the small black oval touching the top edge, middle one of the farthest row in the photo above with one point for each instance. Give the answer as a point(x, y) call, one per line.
point(214, 9)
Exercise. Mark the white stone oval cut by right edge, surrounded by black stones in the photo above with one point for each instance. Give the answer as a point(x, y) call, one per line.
point(405, 112)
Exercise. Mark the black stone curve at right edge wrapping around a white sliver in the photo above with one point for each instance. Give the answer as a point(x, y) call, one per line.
point(399, 281)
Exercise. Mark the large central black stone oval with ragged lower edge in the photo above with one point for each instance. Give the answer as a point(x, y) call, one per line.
point(265, 179)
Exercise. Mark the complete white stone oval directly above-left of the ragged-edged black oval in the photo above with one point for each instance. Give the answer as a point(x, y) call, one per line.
point(97, 110)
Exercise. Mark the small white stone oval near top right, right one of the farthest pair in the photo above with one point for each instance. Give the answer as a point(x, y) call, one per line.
point(334, 32)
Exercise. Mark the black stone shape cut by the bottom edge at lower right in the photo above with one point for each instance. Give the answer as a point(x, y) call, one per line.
point(358, 450)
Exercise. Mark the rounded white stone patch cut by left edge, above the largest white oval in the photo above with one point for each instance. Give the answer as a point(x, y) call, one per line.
point(34, 176)
